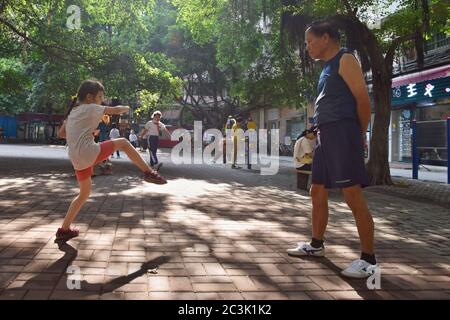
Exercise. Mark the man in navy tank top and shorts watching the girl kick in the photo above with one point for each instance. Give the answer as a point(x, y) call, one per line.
point(342, 114)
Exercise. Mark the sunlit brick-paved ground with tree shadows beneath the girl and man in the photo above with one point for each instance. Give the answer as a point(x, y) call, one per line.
point(210, 233)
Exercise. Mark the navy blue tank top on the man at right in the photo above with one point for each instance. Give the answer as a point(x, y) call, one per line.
point(335, 101)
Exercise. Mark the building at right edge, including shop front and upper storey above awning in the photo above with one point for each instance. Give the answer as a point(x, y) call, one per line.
point(423, 96)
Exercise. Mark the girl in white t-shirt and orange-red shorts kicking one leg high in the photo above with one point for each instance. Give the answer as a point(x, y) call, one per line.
point(80, 122)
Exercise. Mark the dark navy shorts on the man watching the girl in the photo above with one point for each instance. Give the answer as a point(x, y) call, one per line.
point(339, 155)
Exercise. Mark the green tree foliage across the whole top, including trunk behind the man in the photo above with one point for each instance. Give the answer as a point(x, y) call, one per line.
point(212, 57)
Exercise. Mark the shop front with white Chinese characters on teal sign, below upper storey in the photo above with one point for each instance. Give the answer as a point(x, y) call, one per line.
point(426, 99)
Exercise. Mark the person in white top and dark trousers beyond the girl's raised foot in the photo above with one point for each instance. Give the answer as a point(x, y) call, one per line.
point(153, 129)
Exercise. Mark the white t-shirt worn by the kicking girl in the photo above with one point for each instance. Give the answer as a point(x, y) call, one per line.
point(80, 124)
